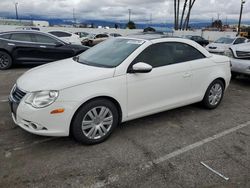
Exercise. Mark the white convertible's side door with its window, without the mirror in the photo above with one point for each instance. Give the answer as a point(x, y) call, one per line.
point(168, 85)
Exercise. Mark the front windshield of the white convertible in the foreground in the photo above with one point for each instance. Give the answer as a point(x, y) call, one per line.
point(109, 53)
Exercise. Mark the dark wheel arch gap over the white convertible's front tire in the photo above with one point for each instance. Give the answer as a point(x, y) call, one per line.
point(113, 100)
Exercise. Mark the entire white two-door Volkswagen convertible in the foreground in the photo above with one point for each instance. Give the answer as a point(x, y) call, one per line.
point(118, 80)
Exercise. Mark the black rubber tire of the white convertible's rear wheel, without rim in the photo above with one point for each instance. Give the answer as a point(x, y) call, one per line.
point(206, 97)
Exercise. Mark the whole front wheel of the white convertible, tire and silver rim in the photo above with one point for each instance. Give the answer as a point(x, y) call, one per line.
point(94, 122)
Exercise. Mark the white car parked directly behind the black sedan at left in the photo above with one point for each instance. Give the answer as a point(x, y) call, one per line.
point(67, 36)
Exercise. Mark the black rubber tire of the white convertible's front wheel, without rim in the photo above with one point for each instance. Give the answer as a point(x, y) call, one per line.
point(76, 128)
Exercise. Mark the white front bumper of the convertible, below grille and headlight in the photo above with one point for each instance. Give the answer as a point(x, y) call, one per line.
point(40, 121)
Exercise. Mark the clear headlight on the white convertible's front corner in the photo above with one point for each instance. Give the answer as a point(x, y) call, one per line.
point(41, 99)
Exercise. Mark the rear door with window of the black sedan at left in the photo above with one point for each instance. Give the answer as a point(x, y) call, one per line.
point(24, 48)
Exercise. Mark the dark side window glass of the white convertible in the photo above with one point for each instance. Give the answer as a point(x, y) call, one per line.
point(162, 54)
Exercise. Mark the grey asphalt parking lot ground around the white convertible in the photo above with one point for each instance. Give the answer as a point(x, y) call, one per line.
point(162, 150)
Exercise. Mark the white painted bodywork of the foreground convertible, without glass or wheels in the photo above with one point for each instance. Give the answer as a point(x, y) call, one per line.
point(137, 94)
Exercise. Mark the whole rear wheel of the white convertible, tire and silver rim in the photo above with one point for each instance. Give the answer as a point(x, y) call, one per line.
point(214, 94)
